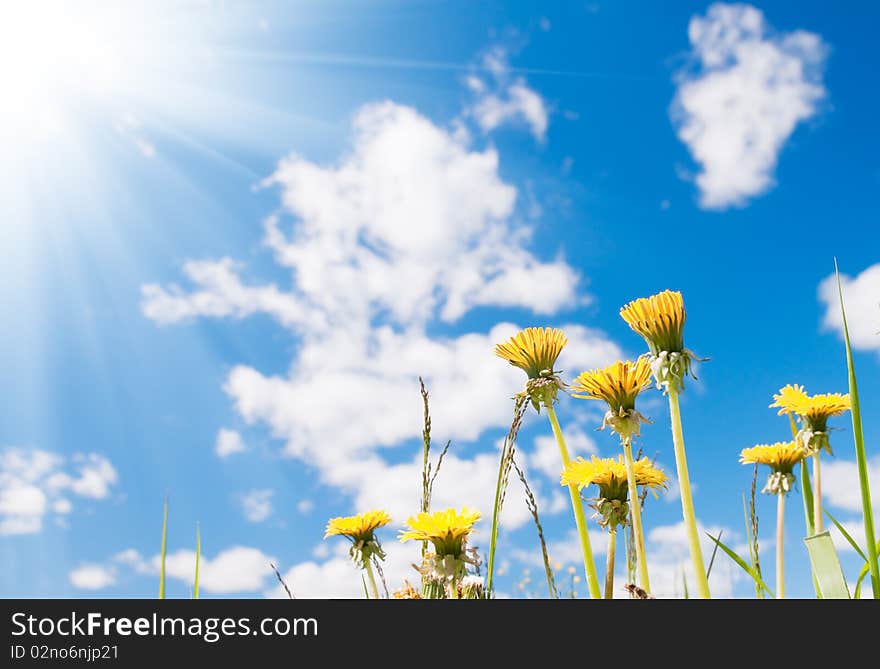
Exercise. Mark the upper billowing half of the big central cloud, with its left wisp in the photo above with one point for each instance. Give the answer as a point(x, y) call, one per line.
point(411, 221)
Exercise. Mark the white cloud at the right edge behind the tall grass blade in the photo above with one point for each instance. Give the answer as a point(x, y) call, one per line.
point(861, 296)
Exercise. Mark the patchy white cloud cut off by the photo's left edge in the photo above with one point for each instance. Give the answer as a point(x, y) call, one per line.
point(33, 483)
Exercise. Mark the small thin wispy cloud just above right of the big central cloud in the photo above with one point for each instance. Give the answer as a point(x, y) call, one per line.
point(506, 99)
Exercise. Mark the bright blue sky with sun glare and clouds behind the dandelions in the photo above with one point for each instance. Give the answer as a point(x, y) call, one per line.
point(229, 253)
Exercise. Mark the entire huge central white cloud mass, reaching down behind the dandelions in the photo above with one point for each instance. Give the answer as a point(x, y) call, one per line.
point(411, 228)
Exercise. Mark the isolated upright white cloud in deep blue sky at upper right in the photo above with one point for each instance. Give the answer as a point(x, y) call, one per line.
point(750, 90)
